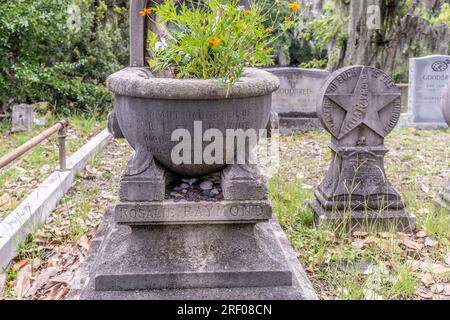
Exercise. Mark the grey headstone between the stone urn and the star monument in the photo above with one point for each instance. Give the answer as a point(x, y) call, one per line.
point(295, 100)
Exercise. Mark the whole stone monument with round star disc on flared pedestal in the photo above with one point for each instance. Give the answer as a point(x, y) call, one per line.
point(359, 106)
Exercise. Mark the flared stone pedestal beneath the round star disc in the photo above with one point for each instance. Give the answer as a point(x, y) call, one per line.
point(356, 193)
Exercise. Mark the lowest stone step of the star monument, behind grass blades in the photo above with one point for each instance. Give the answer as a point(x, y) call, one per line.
point(399, 220)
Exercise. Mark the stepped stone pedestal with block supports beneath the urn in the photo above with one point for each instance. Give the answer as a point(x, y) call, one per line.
point(159, 249)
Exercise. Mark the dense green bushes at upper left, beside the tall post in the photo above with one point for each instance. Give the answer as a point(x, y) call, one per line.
point(43, 58)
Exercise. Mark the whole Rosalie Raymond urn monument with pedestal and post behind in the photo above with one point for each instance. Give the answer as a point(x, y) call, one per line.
point(191, 230)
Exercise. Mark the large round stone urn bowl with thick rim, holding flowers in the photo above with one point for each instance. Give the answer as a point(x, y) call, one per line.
point(149, 109)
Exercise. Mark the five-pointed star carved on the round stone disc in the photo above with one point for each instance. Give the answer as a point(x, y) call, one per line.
point(362, 106)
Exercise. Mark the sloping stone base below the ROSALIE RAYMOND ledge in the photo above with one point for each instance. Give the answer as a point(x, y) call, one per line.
point(275, 256)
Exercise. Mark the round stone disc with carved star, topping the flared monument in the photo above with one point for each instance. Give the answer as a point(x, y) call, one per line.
point(358, 96)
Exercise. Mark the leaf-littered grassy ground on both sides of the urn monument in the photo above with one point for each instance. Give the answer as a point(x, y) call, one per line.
point(340, 264)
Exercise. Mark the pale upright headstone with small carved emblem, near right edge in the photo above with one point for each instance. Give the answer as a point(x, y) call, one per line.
point(427, 79)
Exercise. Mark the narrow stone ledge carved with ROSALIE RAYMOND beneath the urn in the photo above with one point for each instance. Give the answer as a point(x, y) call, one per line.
point(168, 212)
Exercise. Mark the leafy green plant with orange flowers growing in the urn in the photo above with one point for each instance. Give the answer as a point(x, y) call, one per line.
point(212, 39)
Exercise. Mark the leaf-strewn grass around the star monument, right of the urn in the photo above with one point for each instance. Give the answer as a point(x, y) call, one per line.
point(377, 265)
